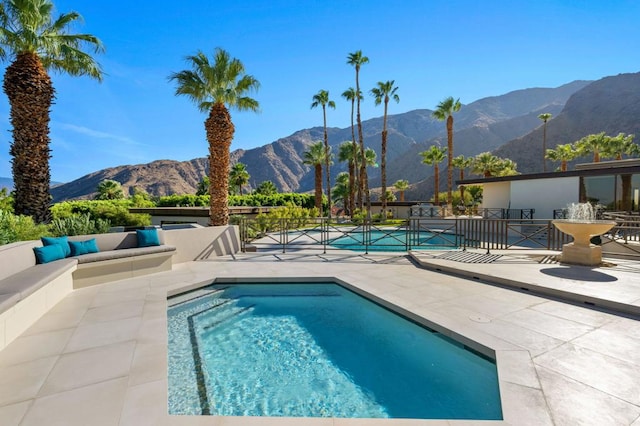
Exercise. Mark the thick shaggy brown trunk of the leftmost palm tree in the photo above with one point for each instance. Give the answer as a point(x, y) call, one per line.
point(30, 92)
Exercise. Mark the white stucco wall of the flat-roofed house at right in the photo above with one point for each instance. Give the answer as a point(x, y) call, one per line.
point(544, 195)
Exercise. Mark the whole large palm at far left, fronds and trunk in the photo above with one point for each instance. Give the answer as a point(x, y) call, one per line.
point(35, 43)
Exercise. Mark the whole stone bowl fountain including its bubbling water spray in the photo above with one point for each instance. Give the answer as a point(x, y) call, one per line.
point(582, 225)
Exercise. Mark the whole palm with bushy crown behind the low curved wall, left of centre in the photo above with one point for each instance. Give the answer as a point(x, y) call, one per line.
point(214, 86)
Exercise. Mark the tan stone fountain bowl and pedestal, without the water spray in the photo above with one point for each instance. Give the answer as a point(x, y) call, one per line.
point(581, 251)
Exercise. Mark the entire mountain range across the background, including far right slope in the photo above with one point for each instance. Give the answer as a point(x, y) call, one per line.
point(507, 125)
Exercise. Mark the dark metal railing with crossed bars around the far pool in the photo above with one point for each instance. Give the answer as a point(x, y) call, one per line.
point(422, 233)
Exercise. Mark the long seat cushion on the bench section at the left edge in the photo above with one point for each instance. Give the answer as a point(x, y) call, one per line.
point(28, 281)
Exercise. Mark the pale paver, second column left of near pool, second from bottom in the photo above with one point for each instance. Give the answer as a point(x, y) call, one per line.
point(83, 368)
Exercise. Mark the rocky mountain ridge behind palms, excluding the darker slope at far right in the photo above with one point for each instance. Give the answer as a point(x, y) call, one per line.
point(483, 125)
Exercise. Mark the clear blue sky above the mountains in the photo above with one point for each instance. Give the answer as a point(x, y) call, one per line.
point(463, 48)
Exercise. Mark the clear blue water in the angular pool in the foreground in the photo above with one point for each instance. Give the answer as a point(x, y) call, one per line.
point(317, 350)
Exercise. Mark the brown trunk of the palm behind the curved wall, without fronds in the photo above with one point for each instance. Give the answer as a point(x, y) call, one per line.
point(220, 129)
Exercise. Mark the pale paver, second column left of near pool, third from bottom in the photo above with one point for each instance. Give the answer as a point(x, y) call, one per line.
point(103, 333)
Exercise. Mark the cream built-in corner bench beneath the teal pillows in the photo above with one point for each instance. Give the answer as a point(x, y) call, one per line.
point(28, 290)
